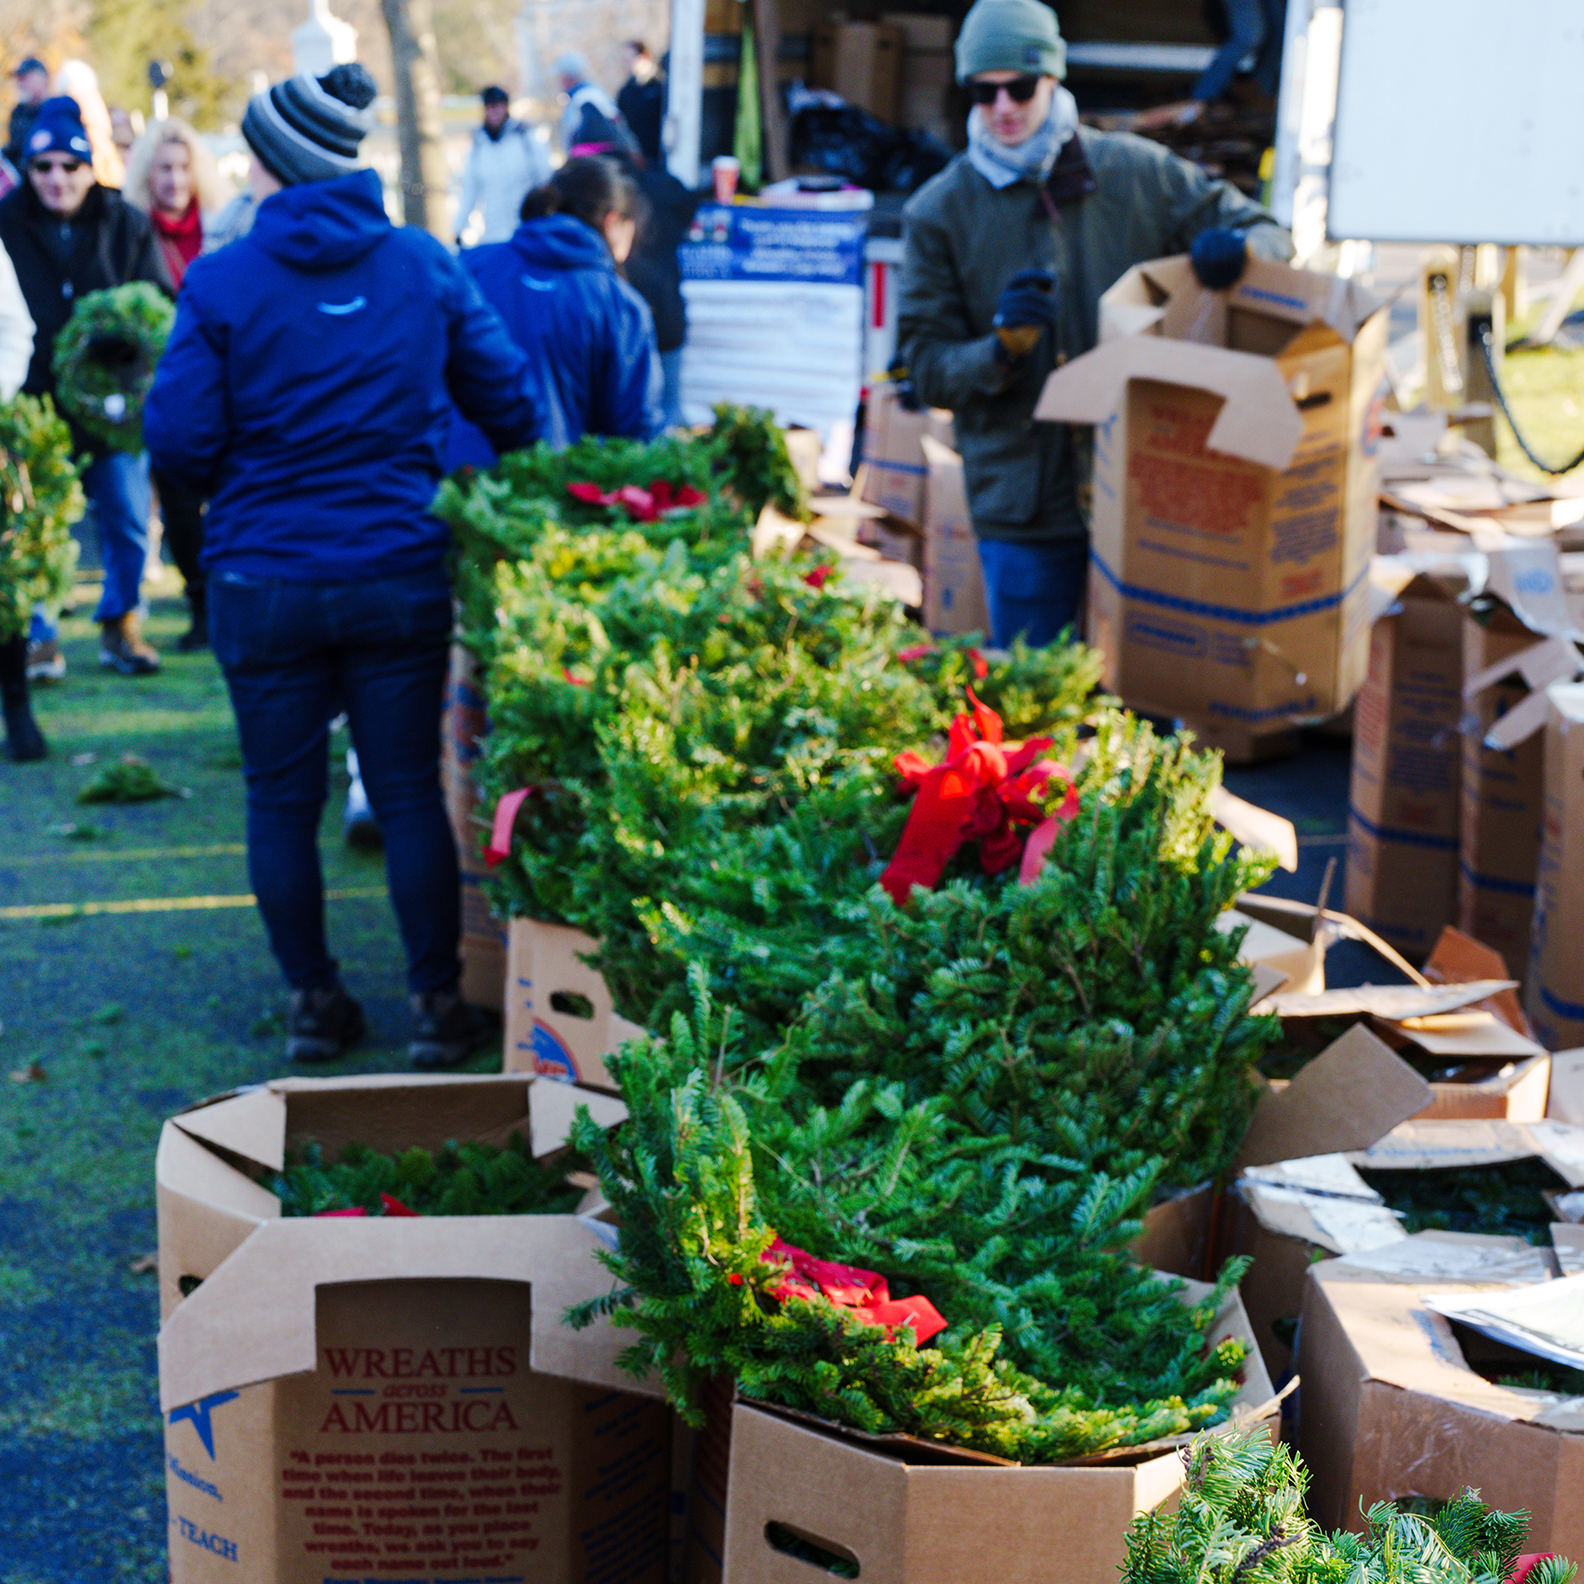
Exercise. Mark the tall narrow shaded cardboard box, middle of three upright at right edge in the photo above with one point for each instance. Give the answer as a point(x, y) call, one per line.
point(1502, 791)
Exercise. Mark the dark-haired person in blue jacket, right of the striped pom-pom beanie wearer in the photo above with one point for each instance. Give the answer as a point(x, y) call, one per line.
point(558, 287)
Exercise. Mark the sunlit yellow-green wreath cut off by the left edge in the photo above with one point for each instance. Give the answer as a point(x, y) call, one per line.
point(40, 500)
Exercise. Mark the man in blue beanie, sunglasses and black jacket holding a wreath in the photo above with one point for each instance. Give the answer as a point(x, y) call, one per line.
point(69, 235)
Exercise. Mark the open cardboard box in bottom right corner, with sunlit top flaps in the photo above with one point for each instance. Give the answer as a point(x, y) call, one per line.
point(1393, 1407)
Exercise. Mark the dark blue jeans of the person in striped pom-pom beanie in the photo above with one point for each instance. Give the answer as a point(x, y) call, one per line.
point(294, 655)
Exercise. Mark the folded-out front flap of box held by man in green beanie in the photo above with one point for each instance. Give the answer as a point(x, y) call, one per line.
point(1258, 419)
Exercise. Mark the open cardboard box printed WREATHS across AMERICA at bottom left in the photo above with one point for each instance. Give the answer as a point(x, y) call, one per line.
point(392, 1398)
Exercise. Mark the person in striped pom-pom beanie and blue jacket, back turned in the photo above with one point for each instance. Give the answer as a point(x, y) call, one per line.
point(308, 390)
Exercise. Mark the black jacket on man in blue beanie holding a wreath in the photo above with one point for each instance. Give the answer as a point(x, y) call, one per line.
point(105, 245)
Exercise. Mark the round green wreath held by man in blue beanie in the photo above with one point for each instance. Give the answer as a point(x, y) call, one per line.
point(105, 360)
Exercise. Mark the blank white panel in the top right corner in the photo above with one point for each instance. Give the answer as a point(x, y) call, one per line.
point(1460, 121)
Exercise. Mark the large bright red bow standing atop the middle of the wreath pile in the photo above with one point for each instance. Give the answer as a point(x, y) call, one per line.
point(986, 791)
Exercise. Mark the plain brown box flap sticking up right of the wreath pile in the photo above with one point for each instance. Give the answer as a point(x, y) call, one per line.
point(1349, 1097)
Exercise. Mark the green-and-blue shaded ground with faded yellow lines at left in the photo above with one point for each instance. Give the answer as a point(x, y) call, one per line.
point(109, 1024)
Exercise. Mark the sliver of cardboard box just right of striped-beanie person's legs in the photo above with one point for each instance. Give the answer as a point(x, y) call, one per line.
point(463, 728)
